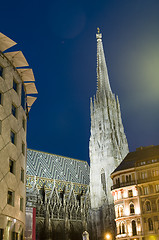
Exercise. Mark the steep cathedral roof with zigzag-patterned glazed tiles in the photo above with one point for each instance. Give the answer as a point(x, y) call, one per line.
point(46, 165)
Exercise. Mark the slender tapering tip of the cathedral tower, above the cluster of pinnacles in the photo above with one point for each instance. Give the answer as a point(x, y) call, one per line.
point(102, 72)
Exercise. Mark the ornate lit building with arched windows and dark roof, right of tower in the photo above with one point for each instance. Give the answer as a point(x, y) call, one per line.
point(136, 195)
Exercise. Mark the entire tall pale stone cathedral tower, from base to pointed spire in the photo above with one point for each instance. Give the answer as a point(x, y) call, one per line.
point(108, 146)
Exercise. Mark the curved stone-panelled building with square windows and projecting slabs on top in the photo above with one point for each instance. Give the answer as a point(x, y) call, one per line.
point(15, 84)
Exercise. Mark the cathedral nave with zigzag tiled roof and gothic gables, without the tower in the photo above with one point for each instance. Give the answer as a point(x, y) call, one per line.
point(58, 188)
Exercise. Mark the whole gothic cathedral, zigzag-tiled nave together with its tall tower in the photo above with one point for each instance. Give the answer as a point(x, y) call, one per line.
point(65, 196)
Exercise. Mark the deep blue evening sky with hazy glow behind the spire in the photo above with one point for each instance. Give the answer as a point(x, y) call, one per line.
point(58, 41)
